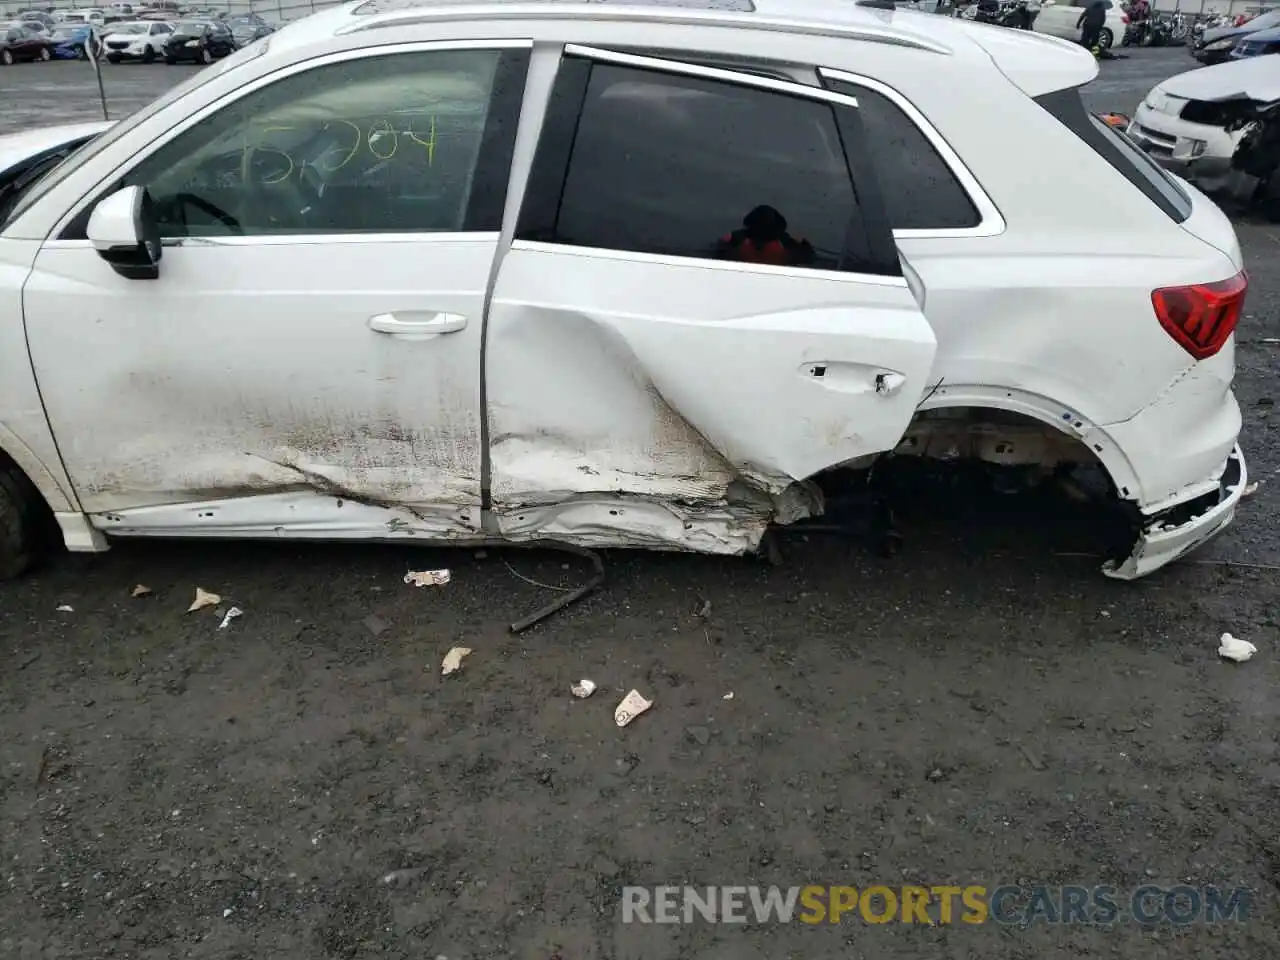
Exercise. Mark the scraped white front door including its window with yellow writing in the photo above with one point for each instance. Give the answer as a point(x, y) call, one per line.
point(316, 331)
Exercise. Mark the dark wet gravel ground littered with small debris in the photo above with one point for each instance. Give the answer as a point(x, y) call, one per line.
point(979, 710)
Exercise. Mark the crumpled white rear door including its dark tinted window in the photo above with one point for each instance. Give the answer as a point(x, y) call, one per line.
point(703, 291)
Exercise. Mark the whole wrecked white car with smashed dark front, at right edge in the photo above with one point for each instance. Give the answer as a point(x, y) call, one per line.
point(1217, 127)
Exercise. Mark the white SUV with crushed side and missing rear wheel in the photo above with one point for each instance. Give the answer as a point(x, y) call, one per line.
point(615, 275)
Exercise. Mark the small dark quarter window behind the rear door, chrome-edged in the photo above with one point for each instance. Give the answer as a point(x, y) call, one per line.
point(921, 191)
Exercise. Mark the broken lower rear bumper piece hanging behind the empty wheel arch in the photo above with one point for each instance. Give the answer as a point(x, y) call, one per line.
point(1169, 536)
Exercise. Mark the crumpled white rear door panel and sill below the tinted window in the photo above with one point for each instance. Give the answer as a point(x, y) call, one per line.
point(710, 386)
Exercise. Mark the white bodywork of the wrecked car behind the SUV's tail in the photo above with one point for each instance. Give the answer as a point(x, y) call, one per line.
point(1182, 122)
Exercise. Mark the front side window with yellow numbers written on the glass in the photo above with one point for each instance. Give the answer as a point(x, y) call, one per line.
point(387, 144)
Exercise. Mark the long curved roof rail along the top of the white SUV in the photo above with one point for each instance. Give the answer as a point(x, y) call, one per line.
point(444, 12)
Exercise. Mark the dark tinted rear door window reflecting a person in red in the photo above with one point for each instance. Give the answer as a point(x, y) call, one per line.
point(691, 167)
